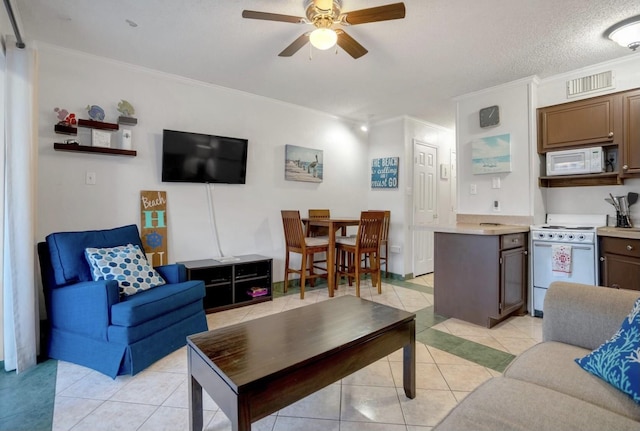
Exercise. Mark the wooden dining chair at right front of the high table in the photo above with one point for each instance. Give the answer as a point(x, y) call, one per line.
point(352, 250)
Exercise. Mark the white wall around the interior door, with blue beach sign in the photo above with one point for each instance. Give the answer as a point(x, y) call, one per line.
point(394, 138)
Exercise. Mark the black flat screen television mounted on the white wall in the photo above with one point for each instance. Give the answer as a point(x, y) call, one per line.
point(200, 158)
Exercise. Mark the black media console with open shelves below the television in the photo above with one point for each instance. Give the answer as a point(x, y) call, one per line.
point(233, 282)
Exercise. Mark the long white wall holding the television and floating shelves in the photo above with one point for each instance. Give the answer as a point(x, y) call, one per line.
point(248, 216)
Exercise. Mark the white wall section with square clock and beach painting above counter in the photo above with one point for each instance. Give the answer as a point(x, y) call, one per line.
point(516, 195)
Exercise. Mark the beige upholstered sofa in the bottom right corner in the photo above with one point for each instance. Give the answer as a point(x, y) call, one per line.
point(543, 388)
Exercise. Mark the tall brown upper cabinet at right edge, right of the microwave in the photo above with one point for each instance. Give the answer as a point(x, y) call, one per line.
point(631, 126)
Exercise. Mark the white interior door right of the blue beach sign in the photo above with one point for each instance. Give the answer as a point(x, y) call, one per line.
point(425, 162)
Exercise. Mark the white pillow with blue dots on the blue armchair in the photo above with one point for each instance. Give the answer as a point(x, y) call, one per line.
point(127, 265)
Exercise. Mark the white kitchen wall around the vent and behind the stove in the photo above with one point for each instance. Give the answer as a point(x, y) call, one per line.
point(590, 200)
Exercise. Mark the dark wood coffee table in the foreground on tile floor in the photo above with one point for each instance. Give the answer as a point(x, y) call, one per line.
point(255, 368)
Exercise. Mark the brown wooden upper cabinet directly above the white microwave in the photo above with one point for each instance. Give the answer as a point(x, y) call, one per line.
point(590, 122)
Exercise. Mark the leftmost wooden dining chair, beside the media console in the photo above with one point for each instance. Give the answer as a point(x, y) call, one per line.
point(297, 242)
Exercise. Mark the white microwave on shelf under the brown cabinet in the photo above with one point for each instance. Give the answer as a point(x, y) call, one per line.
point(577, 161)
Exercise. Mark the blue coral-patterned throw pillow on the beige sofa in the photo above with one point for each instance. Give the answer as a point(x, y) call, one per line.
point(618, 360)
